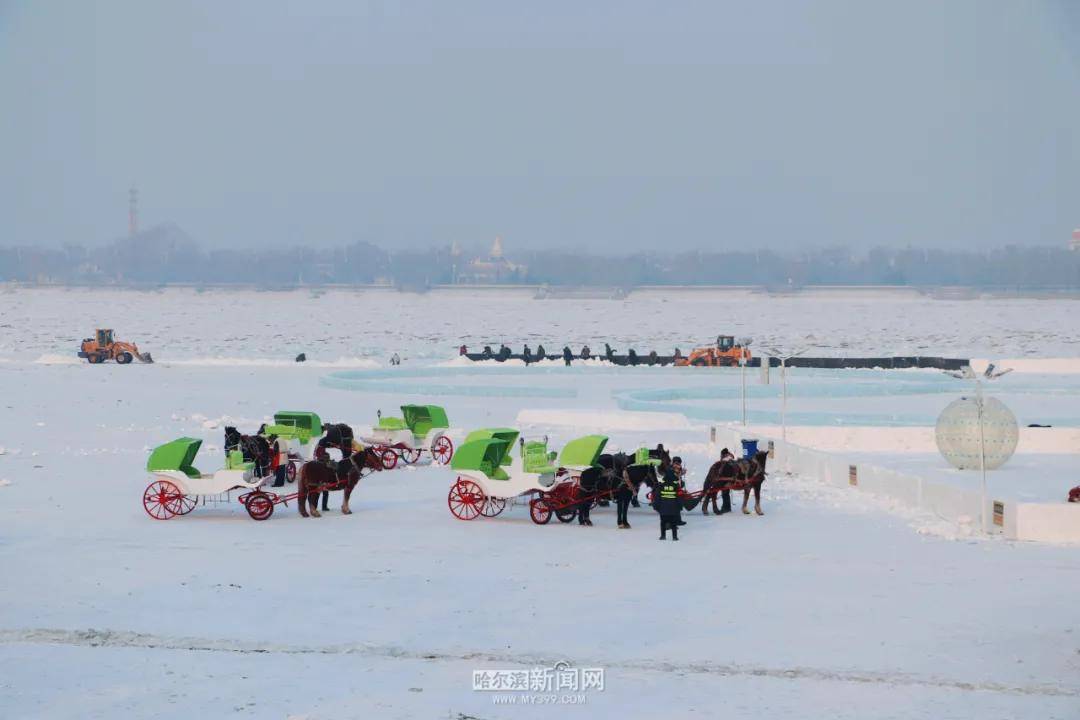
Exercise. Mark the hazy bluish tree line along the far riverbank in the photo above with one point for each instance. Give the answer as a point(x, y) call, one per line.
point(167, 255)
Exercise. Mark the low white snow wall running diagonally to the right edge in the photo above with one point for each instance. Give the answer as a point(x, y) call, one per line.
point(1055, 523)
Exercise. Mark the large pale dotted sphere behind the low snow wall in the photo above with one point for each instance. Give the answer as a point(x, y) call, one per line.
point(957, 433)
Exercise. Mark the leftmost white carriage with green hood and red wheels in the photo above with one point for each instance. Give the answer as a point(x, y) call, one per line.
point(178, 486)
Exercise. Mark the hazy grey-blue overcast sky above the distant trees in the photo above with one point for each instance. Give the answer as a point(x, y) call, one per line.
point(602, 126)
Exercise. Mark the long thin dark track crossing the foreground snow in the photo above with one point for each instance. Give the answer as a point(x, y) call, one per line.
point(94, 639)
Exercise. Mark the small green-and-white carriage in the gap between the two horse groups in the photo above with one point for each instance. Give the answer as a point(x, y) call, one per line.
point(422, 429)
